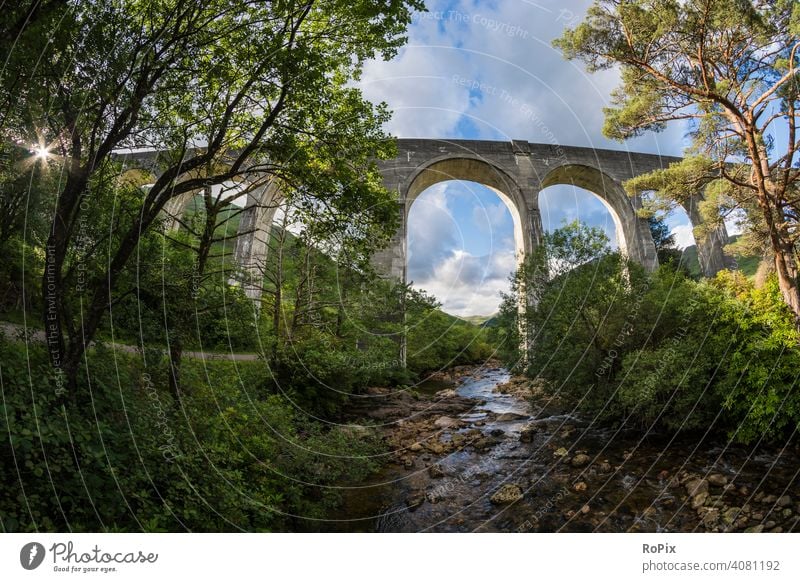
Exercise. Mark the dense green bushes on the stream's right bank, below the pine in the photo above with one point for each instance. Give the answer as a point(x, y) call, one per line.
point(660, 350)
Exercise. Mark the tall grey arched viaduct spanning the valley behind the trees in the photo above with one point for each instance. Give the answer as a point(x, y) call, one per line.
point(516, 171)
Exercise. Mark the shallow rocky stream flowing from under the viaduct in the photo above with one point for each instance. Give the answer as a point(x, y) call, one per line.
point(625, 482)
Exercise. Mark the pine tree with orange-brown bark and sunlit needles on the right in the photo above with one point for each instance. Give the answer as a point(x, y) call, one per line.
point(731, 69)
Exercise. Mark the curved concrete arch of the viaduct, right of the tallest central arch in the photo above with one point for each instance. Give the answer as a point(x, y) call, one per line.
point(633, 233)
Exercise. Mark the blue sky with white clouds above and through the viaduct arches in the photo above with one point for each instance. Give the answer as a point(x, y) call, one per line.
point(487, 70)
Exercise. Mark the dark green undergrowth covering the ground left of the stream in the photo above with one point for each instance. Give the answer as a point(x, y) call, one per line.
point(225, 457)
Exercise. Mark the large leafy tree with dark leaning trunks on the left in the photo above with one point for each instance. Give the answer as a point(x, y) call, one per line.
point(227, 90)
